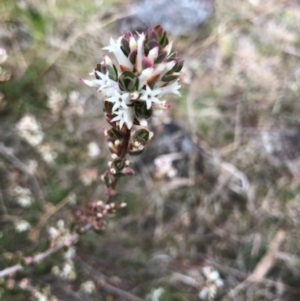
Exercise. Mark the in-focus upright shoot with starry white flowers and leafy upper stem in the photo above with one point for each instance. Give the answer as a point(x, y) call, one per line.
point(146, 70)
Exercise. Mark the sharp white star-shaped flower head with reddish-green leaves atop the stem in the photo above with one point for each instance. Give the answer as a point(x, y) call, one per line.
point(139, 75)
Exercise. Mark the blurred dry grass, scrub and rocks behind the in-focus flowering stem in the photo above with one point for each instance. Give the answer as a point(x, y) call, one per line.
point(218, 187)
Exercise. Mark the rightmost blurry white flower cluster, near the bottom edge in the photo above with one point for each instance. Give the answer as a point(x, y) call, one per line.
point(212, 284)
